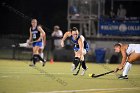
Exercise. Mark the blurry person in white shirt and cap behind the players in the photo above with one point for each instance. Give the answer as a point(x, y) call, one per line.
point(57, 34)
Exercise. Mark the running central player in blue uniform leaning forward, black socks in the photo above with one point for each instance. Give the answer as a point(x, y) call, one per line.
point(81, 47)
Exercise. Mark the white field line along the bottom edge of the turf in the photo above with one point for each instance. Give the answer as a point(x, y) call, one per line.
point(90, 90)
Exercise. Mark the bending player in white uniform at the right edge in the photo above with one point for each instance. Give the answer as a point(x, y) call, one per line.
point(130, 53)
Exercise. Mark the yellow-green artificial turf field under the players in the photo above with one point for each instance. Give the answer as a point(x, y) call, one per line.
point(19, 77)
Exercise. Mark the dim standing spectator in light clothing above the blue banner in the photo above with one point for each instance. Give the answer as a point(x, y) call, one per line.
point(121, 13)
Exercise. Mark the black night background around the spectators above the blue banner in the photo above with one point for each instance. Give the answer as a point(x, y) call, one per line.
point(132, 7)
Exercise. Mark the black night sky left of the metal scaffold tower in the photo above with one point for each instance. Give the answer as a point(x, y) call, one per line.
point(47, 12)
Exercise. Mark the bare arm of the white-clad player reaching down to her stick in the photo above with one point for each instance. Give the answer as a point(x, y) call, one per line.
point(124, 57)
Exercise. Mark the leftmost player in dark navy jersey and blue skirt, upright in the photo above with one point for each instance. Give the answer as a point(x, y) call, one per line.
point(36, 35)
